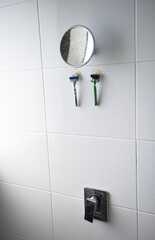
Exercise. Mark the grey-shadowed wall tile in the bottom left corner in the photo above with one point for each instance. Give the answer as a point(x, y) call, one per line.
point(26, 212)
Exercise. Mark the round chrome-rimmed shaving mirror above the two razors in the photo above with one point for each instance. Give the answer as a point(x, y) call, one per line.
point(77, 46)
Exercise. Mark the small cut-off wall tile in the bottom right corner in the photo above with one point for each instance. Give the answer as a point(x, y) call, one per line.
point(146, 226)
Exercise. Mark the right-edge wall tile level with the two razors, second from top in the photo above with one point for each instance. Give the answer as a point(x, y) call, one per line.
point(146, 100)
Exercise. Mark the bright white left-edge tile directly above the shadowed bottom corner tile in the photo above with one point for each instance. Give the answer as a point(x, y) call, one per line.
point(24, 159)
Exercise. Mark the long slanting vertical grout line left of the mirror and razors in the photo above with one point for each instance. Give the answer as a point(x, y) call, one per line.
point(49, 173)
